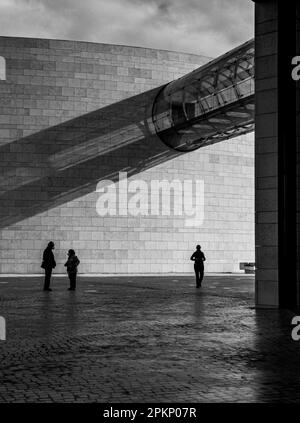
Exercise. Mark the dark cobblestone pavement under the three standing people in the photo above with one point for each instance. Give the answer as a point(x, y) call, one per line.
point(144, 339)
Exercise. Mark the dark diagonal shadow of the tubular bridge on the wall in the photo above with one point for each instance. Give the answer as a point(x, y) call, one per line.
point(65, 162)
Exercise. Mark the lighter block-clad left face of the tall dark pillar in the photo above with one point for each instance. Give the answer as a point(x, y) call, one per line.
point(266, 158)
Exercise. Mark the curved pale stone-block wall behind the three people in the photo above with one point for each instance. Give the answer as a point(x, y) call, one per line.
point(74, 113)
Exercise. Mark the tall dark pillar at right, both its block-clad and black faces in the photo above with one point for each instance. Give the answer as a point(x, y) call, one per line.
point(276, 147)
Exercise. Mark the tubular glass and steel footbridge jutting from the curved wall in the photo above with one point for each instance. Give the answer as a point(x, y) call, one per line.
point(211, 104)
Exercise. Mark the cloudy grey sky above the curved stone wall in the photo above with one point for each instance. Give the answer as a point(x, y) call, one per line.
point(208, 27)
